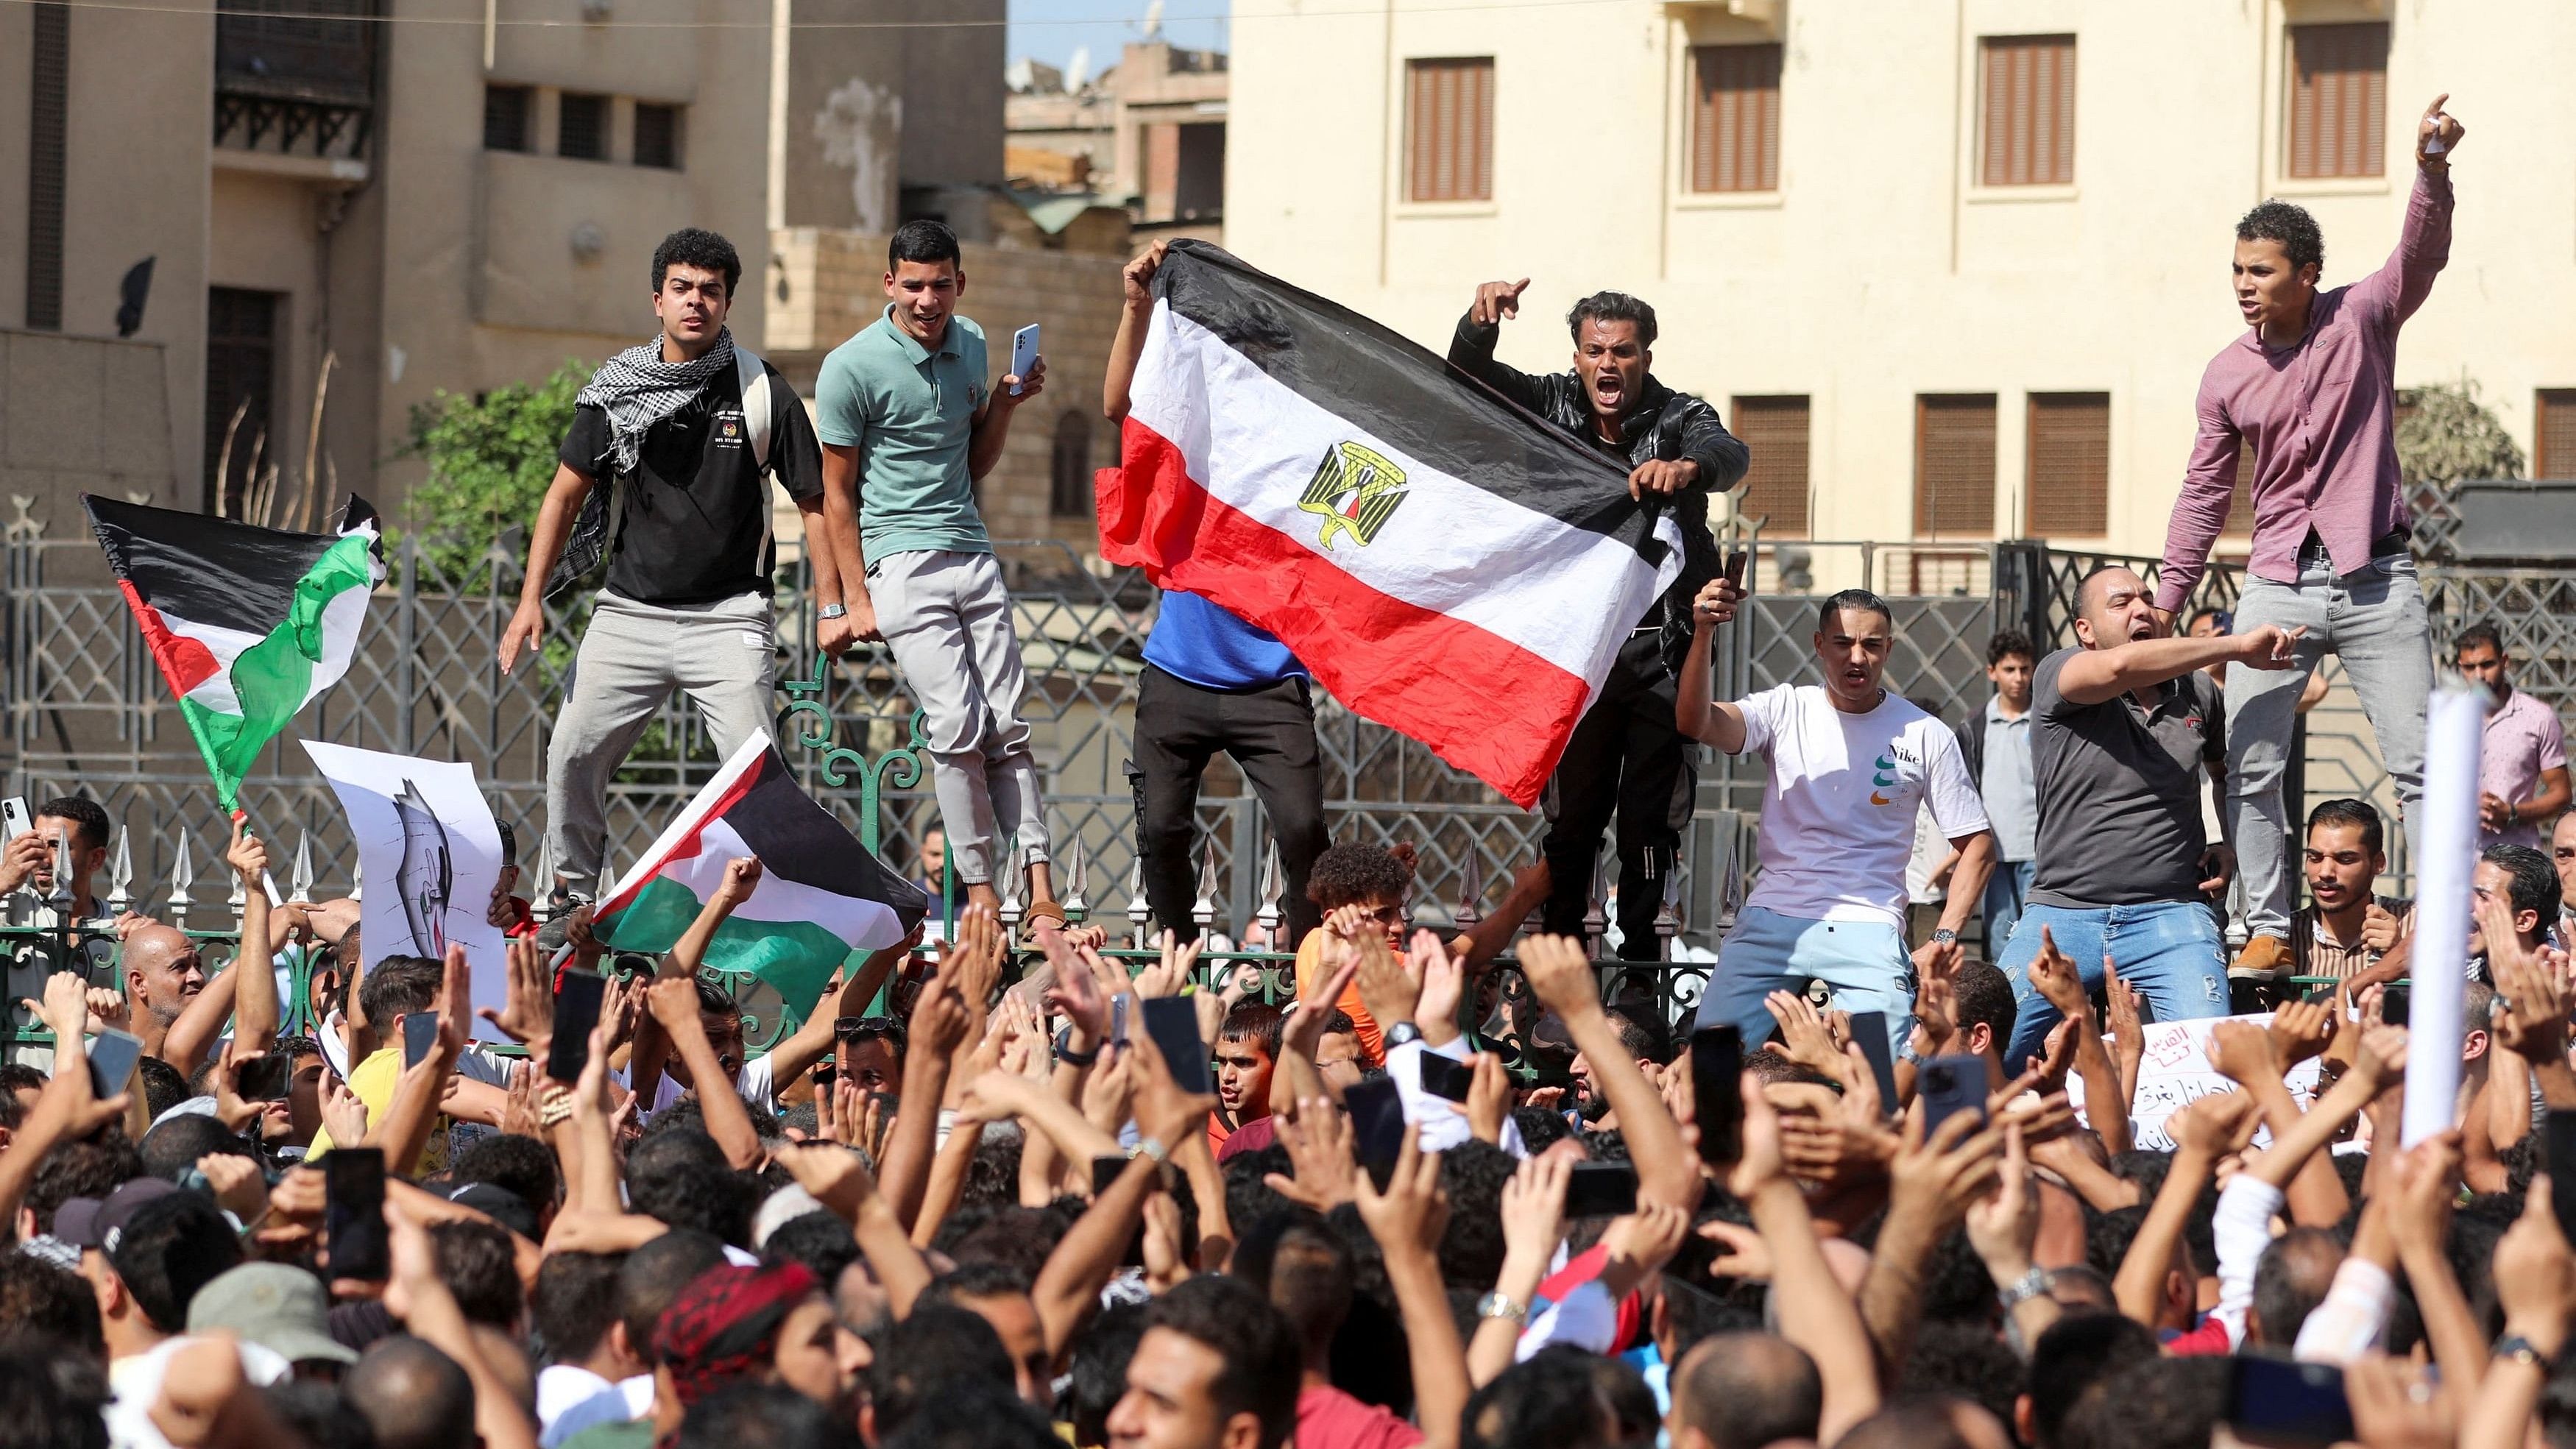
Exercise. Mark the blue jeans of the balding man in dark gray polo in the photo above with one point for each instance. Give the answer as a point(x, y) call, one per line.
point(2170, 951)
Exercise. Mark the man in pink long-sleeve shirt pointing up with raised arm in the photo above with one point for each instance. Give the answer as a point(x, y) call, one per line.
point(2312, 392)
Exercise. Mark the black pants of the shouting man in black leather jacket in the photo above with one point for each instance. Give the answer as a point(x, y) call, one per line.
point(1627, 758)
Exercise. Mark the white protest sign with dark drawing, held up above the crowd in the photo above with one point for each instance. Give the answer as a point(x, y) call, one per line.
point(431, 861)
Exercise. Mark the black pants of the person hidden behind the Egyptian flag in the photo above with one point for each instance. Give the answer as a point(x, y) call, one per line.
point(1271, 737)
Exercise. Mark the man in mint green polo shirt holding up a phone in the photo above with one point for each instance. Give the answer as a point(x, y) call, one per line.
point(908, 426)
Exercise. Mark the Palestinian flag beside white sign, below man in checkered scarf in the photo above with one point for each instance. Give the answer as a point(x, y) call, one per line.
point(820, 894)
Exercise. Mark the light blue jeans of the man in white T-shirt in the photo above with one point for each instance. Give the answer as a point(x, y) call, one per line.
point(1864, 961)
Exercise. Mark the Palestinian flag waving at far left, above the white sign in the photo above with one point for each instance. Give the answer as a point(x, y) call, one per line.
point(249, 624)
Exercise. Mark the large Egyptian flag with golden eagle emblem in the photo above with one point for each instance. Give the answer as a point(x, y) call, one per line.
point(1441, 560)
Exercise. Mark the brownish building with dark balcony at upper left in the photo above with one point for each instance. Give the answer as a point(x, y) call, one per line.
point(429, 194)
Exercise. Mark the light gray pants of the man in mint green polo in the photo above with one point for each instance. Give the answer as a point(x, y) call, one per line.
point(947, 619)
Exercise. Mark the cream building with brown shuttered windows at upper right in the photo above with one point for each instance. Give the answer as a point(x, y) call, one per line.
point(1954, 266)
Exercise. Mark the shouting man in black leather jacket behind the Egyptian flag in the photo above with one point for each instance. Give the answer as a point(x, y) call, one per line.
point(1627, 753)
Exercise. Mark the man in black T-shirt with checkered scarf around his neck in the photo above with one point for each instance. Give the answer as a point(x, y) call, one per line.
point(684, 429)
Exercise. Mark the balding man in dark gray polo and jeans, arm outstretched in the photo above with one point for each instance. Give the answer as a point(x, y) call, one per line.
point(2126, 727)
